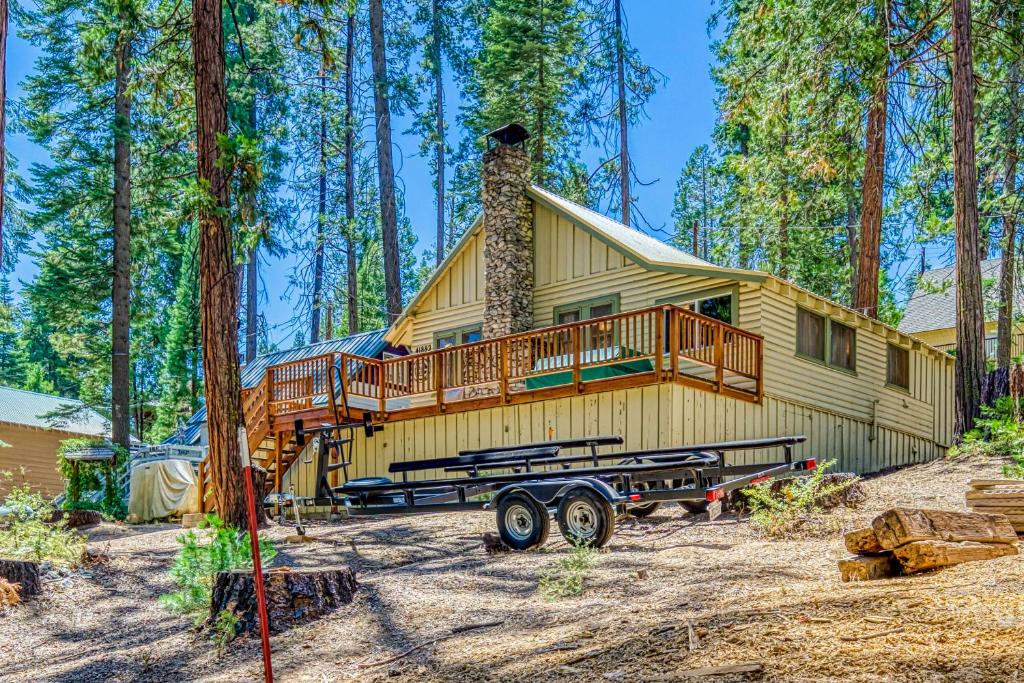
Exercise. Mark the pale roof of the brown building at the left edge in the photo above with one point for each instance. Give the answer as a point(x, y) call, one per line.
point(30, 409)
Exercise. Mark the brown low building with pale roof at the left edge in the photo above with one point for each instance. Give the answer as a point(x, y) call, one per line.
point(28, 425)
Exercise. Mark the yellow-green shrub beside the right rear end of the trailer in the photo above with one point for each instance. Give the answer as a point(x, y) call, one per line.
point(796, 508)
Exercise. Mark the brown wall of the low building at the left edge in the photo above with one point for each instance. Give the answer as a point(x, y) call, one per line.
point(36, 451)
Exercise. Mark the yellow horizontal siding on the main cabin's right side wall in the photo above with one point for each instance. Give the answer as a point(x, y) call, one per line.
point(864, 395)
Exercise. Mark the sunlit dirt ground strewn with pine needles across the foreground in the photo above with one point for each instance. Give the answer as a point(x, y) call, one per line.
point(670, 593)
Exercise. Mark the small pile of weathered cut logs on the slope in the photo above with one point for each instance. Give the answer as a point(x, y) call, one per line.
point(908, 541)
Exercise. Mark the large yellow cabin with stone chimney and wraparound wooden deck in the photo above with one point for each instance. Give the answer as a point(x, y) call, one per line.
point(549, 321)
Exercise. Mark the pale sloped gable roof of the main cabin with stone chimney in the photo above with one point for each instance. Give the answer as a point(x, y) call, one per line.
point(647, 251)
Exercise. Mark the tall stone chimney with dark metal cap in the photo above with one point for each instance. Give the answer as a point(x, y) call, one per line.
point(508, 227)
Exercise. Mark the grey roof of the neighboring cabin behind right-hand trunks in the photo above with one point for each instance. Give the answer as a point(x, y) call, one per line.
point(933, 306)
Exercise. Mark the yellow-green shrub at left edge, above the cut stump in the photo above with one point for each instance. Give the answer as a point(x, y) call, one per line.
point(25, 533)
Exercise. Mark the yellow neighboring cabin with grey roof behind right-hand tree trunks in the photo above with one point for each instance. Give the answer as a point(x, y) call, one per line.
point(931, 312)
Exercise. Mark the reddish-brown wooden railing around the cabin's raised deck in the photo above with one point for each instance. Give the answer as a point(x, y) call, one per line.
point(633, 349)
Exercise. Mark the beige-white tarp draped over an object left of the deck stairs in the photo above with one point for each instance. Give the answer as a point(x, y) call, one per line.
point(163, 489)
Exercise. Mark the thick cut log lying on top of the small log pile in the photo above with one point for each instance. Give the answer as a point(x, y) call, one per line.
point(902, 526)
